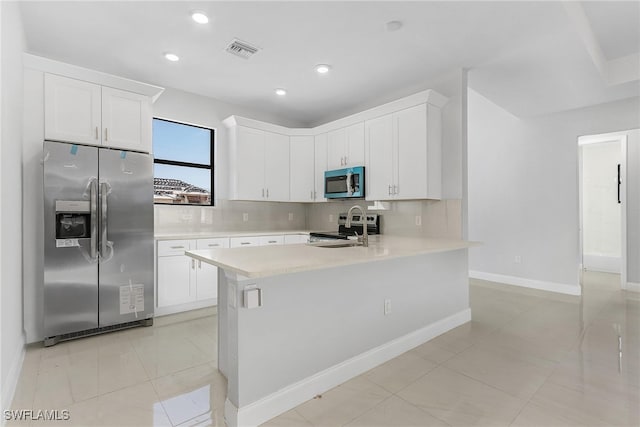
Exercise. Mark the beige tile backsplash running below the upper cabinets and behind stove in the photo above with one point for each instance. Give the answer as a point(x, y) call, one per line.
point(437, 218)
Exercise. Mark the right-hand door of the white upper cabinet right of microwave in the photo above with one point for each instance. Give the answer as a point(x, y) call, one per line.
point(410, 128)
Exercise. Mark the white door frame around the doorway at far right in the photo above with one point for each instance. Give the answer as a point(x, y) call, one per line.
point(614, 137)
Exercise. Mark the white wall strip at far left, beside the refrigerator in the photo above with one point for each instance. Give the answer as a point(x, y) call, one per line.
point(12, 337)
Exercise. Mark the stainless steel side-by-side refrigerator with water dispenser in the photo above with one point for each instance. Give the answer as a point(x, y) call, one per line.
point(98, 240)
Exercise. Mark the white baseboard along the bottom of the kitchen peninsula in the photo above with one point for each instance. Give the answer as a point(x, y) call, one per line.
point(291, 396)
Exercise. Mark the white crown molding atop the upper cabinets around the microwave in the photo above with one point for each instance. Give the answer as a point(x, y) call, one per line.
point(426, 96)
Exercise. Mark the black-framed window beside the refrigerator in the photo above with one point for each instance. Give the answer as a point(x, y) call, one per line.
point(183, 164)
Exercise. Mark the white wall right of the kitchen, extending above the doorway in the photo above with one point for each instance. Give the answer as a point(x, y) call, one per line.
point(523, 190)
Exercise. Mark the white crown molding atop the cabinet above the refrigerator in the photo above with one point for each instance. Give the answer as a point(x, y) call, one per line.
point(79, 73)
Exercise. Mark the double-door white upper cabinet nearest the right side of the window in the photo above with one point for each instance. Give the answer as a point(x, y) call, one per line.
point(259, 165)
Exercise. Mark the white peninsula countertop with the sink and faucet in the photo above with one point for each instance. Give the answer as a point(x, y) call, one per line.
point(263, 261)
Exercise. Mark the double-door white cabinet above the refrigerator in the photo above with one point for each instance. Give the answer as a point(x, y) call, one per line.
point(87, 113)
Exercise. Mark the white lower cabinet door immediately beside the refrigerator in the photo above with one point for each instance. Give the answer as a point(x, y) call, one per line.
point(174, 280)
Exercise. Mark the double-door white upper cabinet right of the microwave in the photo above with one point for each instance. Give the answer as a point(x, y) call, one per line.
point(404, 155)
